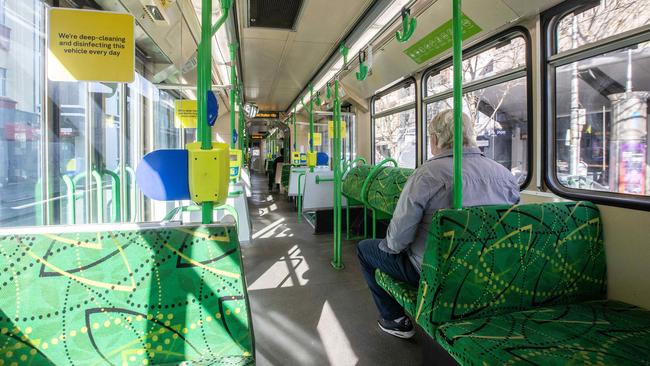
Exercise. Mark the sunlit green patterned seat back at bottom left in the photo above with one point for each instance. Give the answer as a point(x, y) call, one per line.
point(137, 296)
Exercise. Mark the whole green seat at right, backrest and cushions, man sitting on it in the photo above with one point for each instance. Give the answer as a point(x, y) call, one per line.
point(522, 284)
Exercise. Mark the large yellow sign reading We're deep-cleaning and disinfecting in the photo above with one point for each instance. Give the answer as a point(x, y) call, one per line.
point(91, 46)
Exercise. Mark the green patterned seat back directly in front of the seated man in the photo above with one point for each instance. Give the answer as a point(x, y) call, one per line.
point(386, 187)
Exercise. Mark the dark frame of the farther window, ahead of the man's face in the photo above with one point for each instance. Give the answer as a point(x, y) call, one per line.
point(373, 115)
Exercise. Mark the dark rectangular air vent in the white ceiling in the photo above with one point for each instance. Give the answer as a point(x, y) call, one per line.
point(281, 14)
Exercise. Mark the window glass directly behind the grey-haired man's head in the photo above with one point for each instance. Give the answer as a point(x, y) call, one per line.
point(495, 97)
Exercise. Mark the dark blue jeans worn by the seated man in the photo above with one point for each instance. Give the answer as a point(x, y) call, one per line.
point(397, 266)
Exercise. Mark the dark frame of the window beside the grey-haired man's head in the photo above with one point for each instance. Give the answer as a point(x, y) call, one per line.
point(526, 71)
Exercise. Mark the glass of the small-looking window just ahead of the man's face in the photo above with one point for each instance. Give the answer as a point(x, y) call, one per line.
point(394, 125)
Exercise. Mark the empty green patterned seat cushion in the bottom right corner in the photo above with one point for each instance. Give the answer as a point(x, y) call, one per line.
point(589, 333)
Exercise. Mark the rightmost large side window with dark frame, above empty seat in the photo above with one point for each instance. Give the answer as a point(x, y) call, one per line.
point(597, 57)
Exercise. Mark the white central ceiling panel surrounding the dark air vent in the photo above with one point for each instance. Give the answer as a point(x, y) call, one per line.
point(277, 64)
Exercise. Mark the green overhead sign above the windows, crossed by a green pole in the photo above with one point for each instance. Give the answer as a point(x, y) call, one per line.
point(439, 40)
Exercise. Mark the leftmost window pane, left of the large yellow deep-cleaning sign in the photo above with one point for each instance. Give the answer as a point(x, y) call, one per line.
point(21, 119)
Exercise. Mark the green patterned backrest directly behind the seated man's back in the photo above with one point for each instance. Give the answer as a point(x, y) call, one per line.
point(490, 260)
